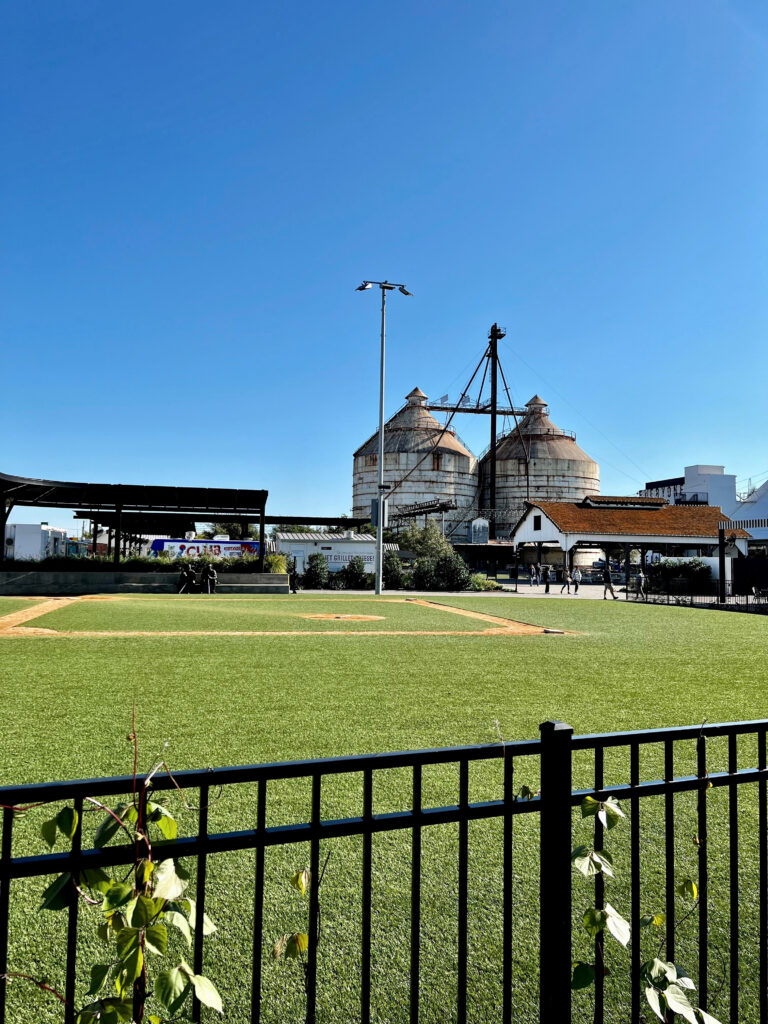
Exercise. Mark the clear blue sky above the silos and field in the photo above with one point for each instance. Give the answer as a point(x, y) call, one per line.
point(192, 191)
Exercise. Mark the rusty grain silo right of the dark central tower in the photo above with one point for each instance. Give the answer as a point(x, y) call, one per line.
point(537, 460)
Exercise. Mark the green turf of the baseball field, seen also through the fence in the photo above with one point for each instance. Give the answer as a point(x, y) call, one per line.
point(239, 700)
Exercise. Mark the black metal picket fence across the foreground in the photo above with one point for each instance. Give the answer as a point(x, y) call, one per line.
point(553, 758)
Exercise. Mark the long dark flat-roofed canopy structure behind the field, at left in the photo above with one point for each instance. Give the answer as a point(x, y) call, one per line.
point(137, 504)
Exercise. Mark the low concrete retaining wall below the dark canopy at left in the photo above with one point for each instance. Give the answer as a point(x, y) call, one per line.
point(35, 584)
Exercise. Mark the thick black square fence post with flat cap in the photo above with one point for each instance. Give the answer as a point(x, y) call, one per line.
point(556, 849)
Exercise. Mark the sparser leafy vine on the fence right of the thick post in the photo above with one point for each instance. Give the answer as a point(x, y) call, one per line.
point(667, 986)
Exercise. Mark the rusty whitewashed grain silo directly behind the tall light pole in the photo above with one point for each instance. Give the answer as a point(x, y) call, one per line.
point(431, 461)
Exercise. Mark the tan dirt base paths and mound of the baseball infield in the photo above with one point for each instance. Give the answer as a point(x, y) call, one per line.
point(14, 625)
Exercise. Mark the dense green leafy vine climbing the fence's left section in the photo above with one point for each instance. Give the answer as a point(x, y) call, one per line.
point(137, 912)
